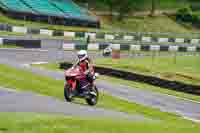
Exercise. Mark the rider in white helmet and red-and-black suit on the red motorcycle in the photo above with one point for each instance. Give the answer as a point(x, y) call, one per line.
point(84, 62)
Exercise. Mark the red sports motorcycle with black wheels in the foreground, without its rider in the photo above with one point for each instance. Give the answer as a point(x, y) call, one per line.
point(73, 86)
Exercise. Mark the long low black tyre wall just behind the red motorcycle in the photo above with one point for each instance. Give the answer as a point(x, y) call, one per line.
point(172, 85)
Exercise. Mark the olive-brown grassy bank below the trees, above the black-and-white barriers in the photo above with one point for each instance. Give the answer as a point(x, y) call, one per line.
point(147, 24)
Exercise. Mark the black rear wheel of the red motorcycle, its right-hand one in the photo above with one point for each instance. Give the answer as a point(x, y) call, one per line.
point(93, 98)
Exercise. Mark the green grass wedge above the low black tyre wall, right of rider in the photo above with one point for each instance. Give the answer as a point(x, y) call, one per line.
point(186, 69)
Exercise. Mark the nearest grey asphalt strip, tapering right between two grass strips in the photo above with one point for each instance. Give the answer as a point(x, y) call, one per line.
point(11, 101)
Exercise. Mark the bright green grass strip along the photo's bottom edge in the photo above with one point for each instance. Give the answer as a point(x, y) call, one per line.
point(43, 123)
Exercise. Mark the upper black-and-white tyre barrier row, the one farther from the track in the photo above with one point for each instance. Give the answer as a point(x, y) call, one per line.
point(145, 37)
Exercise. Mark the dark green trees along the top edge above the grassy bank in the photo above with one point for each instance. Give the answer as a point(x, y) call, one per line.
point(124, 7)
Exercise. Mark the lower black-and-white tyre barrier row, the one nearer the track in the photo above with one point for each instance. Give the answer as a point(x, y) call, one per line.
point(76, 45)
